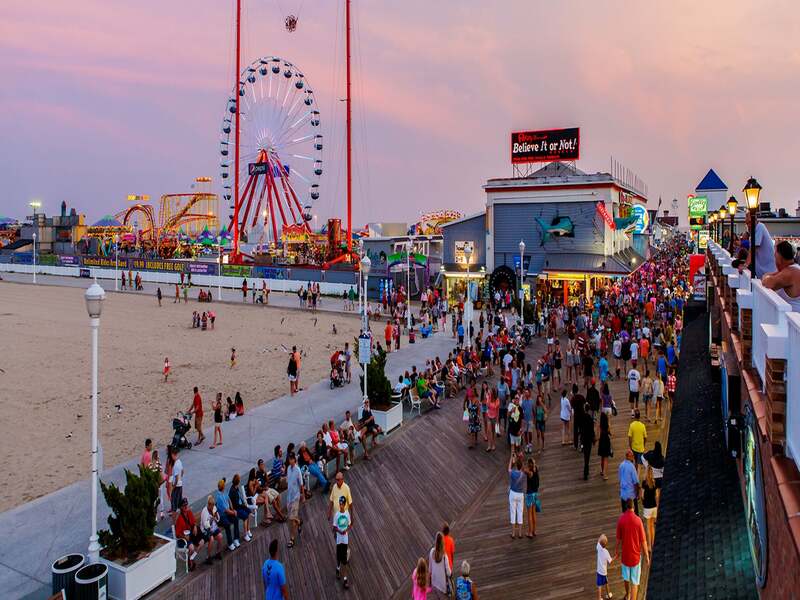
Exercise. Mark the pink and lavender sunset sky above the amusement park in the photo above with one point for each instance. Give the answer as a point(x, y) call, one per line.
point(104, 98)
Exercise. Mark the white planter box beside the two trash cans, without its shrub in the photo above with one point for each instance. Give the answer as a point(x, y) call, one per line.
point(135, 580)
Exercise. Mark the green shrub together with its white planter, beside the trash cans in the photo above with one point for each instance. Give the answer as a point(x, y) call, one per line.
point(138, 559)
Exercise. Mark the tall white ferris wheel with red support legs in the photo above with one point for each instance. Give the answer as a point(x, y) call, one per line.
point(280, 148)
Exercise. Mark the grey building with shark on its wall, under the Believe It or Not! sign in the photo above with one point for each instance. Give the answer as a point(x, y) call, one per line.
point(577, 229)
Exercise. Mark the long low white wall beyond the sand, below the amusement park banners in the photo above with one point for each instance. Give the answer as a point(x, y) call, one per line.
point(275, 285)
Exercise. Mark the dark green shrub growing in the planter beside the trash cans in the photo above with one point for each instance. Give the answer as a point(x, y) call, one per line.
point(133, 517)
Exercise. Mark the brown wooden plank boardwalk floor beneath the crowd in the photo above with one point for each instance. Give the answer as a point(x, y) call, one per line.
point(421, 477)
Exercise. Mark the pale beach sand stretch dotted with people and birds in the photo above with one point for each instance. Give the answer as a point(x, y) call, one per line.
point(45, 380)
